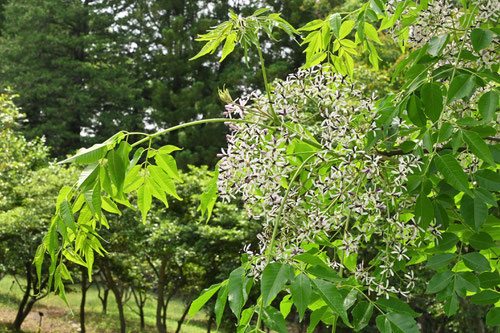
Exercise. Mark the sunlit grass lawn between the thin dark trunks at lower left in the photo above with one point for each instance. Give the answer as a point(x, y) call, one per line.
point(58, 318)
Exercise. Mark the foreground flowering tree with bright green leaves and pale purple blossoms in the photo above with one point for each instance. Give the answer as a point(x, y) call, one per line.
point(354, 192)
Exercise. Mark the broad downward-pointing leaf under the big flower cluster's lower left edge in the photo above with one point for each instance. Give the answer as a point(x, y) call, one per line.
point(274, 278)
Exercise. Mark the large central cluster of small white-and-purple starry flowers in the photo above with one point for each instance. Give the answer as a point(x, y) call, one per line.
point(310, 170)
